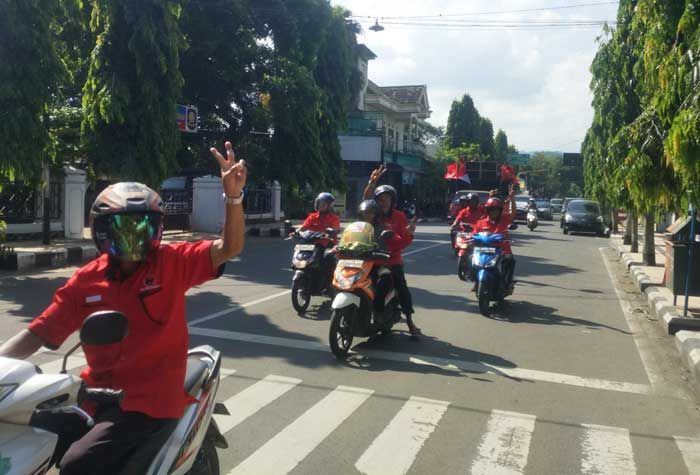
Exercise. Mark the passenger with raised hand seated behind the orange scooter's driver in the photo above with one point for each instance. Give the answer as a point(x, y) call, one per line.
point(394, 220)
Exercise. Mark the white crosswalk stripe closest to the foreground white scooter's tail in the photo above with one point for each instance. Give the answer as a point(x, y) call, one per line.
point(249, 401)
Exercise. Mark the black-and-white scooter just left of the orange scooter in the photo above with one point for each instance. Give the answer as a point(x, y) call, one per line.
point(312, 267)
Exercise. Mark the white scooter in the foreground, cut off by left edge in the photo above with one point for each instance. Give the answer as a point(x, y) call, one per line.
point(25, 392)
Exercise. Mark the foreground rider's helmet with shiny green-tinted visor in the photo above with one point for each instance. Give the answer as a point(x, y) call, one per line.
point(126, 221)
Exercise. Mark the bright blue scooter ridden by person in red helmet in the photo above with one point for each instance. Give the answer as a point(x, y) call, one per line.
point(487, 258)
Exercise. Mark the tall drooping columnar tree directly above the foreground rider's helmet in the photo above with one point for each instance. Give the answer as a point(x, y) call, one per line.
point(132, 88)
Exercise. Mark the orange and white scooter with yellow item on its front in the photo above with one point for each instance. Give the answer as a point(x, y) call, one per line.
point(353, 311)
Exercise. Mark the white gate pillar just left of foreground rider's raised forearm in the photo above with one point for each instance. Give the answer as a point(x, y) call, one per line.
point(207, 205)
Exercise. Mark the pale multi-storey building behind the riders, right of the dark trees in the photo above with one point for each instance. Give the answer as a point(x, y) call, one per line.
point(383, 129)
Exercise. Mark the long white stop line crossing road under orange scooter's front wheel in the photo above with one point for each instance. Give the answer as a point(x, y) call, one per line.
point(446, 364)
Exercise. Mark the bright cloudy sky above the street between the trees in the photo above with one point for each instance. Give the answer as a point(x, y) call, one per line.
point(533, 84)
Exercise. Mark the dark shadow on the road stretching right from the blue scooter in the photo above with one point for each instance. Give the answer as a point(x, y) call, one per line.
point(513, 311)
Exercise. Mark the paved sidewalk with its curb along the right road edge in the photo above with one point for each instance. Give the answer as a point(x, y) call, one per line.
point(660, 299)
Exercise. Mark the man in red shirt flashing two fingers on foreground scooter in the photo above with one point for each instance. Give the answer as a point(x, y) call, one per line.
point(146, 281)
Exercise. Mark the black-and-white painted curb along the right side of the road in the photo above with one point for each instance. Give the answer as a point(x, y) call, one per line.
point(660, 302)
